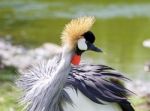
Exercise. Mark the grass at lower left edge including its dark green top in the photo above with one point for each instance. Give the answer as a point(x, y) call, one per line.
point(8, 91)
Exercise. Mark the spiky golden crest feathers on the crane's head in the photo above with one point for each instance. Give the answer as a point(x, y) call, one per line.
point(75, 29)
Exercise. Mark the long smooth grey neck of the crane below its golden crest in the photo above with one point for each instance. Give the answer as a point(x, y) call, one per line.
point(59, 78)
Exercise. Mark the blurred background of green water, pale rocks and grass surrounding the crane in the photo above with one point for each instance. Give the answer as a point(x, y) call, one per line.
point(29, 27)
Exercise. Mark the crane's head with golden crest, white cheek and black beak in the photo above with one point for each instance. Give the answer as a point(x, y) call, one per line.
point(77, 34)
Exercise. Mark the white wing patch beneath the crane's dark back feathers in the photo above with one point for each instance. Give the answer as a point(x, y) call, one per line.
point(82, 103)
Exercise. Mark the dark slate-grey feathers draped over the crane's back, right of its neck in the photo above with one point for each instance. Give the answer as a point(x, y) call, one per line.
point(98, 82)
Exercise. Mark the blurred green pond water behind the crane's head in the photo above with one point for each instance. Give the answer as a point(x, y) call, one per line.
point(120, 28)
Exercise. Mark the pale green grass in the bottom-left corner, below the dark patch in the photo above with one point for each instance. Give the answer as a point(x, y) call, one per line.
point(8, 97)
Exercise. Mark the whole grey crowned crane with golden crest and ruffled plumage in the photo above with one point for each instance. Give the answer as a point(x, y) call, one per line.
point(45, 85)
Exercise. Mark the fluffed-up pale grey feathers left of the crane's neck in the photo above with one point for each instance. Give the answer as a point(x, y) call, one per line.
point(35, 84)
